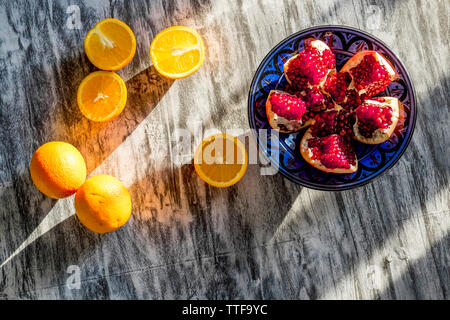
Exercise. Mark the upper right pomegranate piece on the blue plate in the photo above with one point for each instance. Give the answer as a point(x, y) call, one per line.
point(370, 72)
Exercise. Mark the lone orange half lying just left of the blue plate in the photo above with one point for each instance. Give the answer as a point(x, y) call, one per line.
point(221, 160)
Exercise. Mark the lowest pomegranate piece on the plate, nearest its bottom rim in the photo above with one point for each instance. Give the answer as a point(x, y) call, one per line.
point(331, 153)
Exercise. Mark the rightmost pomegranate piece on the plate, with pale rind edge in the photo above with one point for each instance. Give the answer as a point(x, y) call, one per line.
point(376, 120)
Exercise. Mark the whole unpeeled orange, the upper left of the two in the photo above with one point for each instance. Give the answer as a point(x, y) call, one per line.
point(57, 169)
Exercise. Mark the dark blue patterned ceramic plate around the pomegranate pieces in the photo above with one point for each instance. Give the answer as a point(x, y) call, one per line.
point(284, 155)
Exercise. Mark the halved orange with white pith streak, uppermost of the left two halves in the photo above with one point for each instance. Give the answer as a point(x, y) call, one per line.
point(110, 45)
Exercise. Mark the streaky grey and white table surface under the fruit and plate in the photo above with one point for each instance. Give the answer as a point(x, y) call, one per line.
point(264, 238)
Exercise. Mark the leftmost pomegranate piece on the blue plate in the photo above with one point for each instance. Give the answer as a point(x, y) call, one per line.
point(286, 112)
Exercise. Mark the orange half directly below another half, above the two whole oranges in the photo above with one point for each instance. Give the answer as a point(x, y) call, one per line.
point(101, 96)
